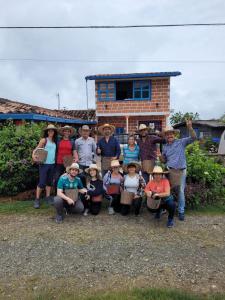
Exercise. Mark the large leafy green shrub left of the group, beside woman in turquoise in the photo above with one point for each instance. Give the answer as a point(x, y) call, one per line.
point(17, 171)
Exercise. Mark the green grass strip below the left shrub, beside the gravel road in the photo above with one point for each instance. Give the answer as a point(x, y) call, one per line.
point(23, 207)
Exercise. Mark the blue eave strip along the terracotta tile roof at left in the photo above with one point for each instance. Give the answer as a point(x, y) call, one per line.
point(38, 117)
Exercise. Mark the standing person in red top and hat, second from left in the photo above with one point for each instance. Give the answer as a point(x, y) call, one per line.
point(65, 148)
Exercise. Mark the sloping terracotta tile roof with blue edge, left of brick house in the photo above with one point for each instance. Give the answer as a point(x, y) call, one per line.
point(19, 112)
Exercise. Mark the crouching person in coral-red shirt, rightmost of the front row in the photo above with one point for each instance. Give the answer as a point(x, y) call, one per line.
point(159, 196)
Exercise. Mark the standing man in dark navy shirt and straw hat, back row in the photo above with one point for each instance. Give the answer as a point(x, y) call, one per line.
point(108, 147)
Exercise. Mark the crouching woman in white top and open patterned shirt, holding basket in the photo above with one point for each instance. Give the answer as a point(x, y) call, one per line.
point(133, 186)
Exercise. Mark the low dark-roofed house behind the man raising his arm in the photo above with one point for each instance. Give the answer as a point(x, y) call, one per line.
point(204, 129)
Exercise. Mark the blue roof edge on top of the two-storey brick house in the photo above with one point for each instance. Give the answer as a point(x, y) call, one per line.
point(132, 75)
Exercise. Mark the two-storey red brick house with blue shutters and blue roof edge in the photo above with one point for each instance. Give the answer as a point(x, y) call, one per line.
point(127, 100)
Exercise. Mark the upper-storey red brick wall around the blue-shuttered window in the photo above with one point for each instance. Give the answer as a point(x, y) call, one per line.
point(159, 101)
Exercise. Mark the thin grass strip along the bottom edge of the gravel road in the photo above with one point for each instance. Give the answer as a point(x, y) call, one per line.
point(135, 294)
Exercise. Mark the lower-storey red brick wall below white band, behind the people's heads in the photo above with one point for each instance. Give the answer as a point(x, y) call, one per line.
point(133, 121)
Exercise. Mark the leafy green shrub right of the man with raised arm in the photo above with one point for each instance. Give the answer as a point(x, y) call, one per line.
point(204, 178)
